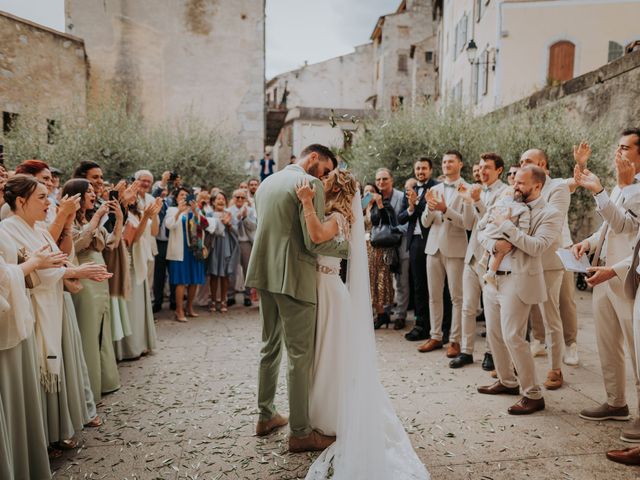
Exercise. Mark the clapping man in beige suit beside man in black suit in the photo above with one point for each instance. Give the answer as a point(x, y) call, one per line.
point(446, 247)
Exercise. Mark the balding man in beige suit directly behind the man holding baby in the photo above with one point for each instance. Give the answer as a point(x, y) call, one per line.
point(556, 193)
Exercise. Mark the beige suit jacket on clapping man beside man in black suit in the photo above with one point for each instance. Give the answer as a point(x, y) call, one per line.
point(447, 233)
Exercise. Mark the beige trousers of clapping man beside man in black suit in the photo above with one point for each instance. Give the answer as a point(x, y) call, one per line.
point(439, 267)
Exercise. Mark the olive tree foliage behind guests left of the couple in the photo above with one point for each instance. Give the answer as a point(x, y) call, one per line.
point(123, 142)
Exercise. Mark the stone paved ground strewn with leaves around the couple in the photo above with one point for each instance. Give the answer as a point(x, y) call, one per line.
point(188, 412)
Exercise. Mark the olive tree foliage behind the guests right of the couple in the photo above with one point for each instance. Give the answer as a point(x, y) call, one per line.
point(396, 140)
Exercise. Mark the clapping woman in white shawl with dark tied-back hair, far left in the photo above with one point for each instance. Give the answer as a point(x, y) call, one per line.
point(29, 202)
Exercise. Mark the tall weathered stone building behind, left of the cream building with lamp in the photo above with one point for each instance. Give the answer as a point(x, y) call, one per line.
point(393, 37)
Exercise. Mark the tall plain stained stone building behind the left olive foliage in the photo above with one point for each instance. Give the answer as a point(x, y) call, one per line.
point(200, 57)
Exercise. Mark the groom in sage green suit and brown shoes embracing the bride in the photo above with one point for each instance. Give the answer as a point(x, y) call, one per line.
point(283, 269)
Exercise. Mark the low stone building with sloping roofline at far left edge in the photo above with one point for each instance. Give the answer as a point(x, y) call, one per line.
point(43, 73)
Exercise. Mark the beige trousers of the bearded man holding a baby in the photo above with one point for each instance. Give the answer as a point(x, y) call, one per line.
point(507, 317)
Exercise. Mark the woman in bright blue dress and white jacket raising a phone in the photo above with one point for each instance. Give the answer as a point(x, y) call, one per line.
point(186, 225)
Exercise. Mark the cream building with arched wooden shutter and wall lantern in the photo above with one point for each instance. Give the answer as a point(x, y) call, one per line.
point(523, 46)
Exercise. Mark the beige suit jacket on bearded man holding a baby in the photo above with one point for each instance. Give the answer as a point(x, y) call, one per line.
point(526, 257)
